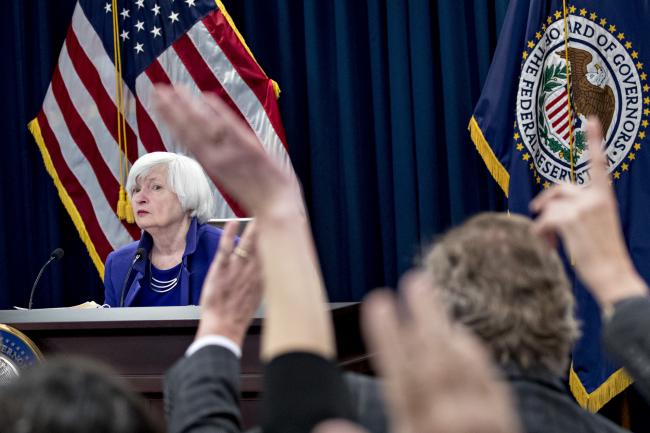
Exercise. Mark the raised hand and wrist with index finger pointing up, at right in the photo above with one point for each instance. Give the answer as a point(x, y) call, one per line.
point(587, 221)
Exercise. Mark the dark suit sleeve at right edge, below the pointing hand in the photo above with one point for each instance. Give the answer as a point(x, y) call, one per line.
point(627, 339)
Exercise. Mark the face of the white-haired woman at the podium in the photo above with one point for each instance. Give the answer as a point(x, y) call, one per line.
point(154, 204)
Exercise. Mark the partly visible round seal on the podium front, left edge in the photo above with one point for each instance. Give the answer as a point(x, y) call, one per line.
point(17, 352)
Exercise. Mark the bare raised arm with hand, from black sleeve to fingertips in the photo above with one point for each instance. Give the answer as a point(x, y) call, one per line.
point(231, 154)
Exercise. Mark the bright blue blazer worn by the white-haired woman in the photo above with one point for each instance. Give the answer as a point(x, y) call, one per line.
point(201, 245)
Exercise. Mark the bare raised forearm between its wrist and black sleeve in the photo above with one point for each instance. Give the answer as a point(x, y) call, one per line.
point(297, 318)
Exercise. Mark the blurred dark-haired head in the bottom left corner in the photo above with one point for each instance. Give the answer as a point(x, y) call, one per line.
point(71, 396)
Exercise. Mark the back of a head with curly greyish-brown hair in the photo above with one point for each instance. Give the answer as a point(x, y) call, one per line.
point(509, 288)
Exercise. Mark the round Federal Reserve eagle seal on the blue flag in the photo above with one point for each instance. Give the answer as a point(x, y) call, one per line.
point(595, 71)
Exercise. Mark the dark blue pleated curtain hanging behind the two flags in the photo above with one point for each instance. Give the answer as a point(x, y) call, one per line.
point(376, 97)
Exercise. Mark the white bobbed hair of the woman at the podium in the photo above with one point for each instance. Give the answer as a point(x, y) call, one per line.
point(185, 177)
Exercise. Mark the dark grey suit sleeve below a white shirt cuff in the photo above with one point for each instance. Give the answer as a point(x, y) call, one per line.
point(202, 393)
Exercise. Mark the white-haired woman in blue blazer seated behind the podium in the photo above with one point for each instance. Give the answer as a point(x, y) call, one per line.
point(171, 199)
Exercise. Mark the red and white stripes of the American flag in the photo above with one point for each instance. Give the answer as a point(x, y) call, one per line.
point(78, 118)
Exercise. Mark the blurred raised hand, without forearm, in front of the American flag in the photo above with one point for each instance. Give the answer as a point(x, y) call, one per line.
point(226, 147)
